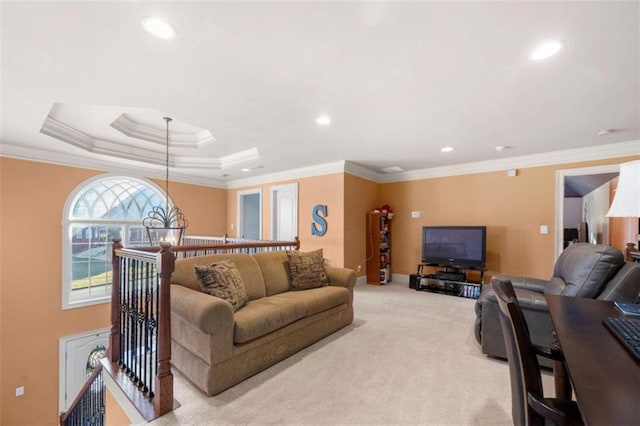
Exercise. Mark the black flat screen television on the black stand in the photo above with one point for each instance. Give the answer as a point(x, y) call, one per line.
point(463, 246)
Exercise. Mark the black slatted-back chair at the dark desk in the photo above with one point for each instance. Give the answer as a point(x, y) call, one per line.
point(529, 406)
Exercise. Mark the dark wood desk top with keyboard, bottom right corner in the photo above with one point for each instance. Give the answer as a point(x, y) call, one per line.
point(605, 378)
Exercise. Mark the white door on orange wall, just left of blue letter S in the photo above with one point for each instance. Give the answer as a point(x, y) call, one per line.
point(284, 212)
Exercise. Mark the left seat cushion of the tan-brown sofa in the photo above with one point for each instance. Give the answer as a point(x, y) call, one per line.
point(262, 316)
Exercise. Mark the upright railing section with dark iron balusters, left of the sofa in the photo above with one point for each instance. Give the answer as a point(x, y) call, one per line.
point(140, 339)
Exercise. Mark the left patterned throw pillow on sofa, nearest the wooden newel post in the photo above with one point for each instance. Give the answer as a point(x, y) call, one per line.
point(222, 279)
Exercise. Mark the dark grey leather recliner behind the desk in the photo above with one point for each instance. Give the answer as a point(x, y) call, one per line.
point(582, 270)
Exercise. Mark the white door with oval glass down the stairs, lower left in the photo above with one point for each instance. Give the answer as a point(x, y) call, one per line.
point(78, 356)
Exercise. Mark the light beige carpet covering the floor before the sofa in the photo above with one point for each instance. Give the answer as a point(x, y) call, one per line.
point(409, 358)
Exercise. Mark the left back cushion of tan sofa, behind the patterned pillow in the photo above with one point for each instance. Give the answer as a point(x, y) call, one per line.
point(246, 264)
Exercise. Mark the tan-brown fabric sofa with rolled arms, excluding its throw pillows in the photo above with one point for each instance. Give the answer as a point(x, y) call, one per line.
point(216, 348)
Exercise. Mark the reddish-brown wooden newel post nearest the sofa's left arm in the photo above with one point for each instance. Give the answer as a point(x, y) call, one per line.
point(163, 398)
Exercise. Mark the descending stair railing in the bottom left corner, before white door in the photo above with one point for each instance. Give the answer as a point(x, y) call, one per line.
point(88, 409)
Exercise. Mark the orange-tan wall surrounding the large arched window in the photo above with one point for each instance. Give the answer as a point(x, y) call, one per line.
point(32, 201)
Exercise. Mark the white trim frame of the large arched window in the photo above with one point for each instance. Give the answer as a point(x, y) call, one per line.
point(66, 235)
